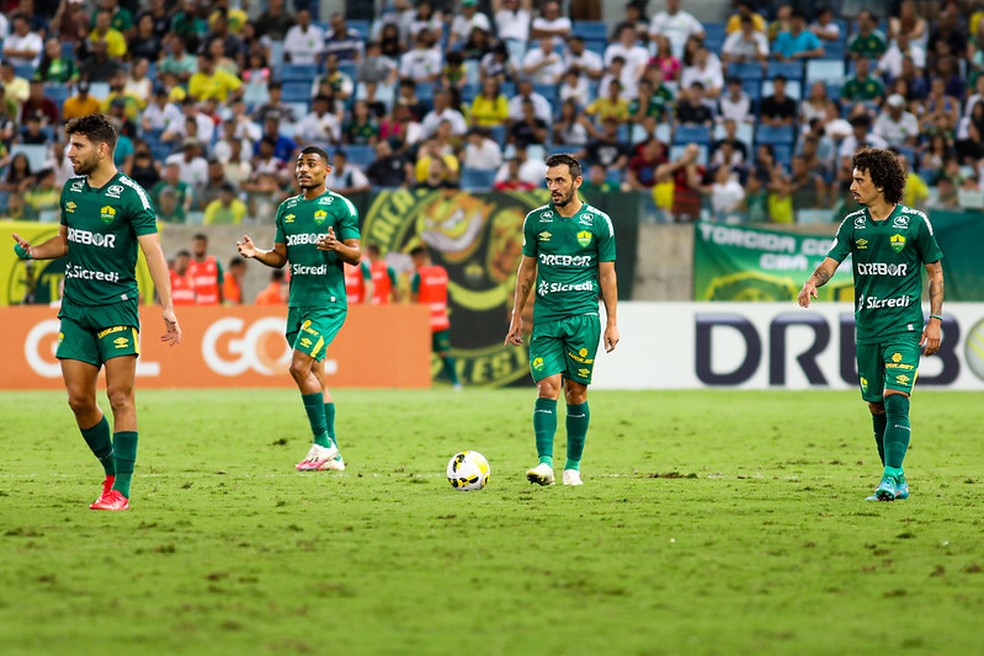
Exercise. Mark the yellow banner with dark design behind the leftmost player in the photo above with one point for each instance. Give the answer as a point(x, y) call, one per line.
point(40, 281)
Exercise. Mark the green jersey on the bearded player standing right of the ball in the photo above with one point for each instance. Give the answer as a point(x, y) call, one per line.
point(567, 252)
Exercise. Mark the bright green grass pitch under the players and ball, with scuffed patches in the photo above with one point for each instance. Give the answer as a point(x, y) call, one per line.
point(709, 523)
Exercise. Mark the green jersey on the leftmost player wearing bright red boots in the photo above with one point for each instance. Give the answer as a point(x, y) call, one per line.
point(103, 226)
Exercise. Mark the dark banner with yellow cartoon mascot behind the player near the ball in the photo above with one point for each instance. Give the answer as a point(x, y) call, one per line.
point(478, 238)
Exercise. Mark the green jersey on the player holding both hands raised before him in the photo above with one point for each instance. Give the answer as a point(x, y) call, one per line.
point(317, 278)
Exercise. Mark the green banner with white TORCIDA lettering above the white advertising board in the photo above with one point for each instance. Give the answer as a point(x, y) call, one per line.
point(736, 263)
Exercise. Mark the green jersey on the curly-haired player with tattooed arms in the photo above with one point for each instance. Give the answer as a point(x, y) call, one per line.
point(888, 257)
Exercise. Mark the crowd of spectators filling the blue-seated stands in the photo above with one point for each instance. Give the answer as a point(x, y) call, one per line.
point(753, 117)
